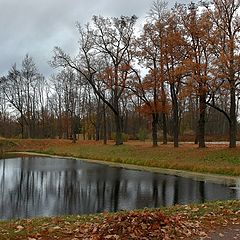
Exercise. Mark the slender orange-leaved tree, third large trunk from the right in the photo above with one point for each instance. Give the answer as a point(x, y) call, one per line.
point(174, 55)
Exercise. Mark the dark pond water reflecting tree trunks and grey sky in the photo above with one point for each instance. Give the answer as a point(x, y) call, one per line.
point(39, 186)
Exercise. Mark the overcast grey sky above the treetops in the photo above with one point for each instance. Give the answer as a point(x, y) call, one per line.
point(36, 26)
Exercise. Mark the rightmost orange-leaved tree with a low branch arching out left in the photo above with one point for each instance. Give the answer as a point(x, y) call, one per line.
point(225, 17)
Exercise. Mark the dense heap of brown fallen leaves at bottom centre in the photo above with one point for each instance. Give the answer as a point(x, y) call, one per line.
point(133, 225)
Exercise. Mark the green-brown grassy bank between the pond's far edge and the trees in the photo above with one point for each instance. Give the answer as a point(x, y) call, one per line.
point(216, 159)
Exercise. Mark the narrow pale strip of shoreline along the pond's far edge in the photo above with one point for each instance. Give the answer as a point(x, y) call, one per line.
point(215, 178)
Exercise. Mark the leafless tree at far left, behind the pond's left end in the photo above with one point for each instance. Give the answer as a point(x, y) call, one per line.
point(21, 91)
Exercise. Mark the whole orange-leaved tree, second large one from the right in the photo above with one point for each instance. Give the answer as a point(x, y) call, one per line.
point(198, 62)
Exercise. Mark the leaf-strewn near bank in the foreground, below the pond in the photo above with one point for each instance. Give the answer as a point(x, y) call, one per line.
point(179, 222)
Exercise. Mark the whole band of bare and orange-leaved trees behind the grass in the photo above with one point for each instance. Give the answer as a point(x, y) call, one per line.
point(178, 77)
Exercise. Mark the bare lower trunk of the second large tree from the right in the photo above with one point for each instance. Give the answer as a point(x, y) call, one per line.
point(201, 122)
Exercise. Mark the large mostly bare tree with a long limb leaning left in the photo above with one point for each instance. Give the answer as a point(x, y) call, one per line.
point(108, 39)
